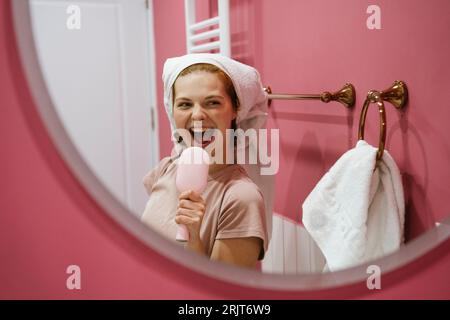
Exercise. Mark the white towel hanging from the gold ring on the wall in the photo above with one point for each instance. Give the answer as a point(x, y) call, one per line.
point(356, 214)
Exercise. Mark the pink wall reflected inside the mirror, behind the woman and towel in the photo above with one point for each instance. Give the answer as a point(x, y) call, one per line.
point(313, 46)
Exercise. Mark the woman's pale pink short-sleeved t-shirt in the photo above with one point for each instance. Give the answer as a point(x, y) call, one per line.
point(234, 205)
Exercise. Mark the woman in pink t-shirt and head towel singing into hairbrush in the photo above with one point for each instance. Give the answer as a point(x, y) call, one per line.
point(227, 221)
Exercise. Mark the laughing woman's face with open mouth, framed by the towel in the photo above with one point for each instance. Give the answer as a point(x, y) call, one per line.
point(201, 96)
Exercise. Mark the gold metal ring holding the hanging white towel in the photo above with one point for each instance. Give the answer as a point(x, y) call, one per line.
point(375, 97)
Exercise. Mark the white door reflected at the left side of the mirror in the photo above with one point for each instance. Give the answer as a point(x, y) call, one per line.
point(99, 69)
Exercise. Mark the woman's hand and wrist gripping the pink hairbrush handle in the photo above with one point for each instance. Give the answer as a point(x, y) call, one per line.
point(191, 208)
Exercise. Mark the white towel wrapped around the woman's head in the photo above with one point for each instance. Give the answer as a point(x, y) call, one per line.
point(253, 99)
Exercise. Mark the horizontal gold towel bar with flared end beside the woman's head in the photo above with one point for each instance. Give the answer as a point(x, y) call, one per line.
point(346, 96)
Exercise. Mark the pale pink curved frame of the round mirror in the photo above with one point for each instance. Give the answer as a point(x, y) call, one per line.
point(303, 282)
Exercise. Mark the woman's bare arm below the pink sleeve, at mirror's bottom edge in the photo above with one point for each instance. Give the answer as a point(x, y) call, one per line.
point(242, 252)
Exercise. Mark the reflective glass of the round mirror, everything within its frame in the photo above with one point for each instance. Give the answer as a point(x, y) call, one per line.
point(201, 157)
